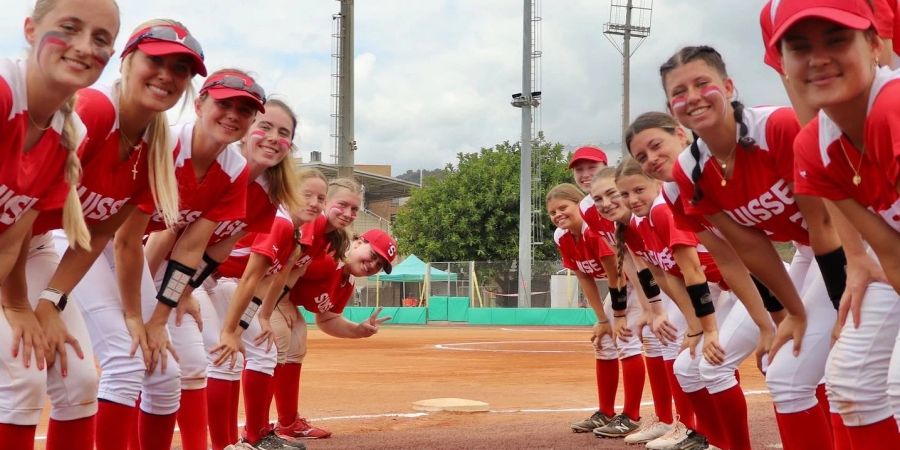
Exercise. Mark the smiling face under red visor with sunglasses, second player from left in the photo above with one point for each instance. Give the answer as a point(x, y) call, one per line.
point(156, 82)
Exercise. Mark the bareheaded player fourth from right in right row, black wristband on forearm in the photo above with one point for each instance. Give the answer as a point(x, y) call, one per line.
point(709, 382)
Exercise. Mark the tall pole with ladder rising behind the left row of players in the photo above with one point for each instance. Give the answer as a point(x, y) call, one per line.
point(342, 89)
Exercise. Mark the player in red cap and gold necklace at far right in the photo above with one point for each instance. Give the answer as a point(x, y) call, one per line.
point(830, 53)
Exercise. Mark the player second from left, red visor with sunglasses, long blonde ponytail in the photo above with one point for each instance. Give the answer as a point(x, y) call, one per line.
point(127, 132)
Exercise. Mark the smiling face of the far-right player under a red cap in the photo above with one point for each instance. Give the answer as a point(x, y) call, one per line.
point(827, 64)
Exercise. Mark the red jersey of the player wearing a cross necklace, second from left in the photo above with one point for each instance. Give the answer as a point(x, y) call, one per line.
point(107, 182)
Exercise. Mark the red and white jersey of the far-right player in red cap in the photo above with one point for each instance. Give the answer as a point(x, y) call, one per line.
point(826, 159)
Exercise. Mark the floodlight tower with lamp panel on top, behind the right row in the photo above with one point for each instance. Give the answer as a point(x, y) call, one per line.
point(629, 19)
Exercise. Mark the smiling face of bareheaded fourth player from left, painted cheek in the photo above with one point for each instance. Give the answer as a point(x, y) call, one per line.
point(269, 139)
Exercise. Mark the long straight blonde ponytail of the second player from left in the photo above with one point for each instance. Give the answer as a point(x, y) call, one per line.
point(161, 170)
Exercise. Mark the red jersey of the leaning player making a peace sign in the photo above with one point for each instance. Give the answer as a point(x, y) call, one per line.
point(324, 286)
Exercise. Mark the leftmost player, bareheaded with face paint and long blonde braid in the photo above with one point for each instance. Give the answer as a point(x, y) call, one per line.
point(71, 43)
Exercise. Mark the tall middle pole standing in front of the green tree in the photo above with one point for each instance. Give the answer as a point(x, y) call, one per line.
point(528, 100)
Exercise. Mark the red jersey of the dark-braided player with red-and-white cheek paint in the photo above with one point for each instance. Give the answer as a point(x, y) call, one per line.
point(758, 194)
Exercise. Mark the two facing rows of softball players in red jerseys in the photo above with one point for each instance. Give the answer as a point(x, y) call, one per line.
point(175, 257)
